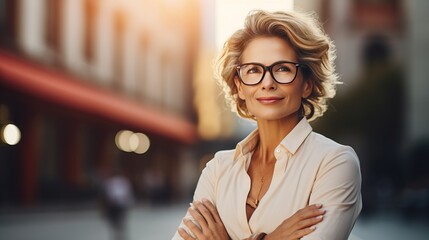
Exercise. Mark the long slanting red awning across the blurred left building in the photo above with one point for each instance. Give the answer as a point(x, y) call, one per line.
point(66, 91)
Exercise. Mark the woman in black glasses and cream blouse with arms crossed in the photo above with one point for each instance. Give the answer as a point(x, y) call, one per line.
point(283, 181)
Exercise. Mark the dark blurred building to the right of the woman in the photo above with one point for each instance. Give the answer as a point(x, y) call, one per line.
point(380, 109)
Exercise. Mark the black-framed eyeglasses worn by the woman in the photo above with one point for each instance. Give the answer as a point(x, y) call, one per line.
point(283, 72)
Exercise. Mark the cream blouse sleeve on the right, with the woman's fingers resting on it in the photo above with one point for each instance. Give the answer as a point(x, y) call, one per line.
point(338, 188)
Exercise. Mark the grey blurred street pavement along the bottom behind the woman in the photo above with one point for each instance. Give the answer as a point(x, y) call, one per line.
point(160, 223)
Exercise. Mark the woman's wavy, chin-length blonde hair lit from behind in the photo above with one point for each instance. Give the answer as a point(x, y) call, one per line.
point(314, 49)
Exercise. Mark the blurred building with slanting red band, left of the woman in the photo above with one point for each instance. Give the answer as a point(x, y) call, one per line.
point(76, 73)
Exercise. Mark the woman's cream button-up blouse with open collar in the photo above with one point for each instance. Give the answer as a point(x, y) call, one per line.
point(310, 169)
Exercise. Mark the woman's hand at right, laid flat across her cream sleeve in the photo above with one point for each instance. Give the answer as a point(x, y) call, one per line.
point(298, 225)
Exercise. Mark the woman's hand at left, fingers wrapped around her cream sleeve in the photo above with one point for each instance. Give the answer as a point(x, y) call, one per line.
point(206, 215)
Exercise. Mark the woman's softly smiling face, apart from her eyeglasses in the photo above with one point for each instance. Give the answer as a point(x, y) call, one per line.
point(270, 100)
